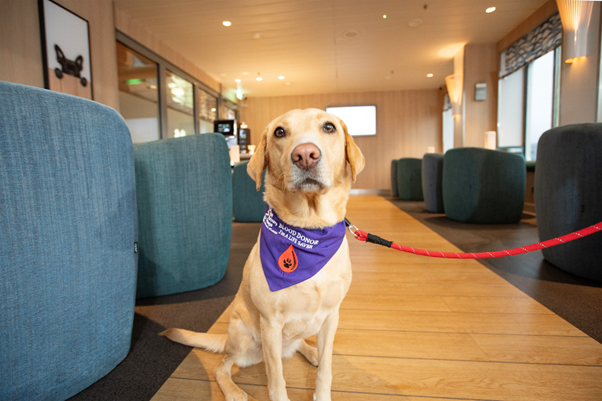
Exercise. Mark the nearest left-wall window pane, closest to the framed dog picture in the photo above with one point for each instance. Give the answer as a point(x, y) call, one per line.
point(138, 94)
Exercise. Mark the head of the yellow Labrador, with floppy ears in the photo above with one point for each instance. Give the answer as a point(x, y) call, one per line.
point(306, 151)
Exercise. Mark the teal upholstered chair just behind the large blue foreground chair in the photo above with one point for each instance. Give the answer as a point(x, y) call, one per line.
point(184, 191)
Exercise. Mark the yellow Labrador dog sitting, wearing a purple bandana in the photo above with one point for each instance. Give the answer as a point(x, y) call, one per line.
point(299, 270)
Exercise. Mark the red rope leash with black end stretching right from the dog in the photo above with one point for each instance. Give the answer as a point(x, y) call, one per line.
point(366, 237)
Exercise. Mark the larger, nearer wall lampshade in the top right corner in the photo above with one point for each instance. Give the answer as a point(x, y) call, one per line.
point(575, 16)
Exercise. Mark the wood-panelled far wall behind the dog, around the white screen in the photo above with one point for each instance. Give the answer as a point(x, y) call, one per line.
point(408, 122)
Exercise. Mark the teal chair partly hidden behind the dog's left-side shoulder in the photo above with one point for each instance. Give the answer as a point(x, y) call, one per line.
point(249, 205)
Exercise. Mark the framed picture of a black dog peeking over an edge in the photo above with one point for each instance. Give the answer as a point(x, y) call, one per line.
point(65, 50)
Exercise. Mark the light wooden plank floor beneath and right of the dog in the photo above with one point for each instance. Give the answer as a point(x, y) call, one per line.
point(416, 328)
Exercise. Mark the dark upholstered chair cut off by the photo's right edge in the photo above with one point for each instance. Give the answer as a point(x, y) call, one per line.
point(568, 195)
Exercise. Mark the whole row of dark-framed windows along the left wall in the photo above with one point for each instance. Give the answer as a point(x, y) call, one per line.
point(157, 99)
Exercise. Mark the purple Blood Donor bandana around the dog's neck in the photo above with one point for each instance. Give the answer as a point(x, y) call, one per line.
point(290, 255)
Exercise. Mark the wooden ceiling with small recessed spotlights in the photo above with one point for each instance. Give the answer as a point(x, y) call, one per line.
point(326, 46)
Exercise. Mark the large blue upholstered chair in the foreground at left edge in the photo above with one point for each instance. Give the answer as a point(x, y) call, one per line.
point(67, 234)
